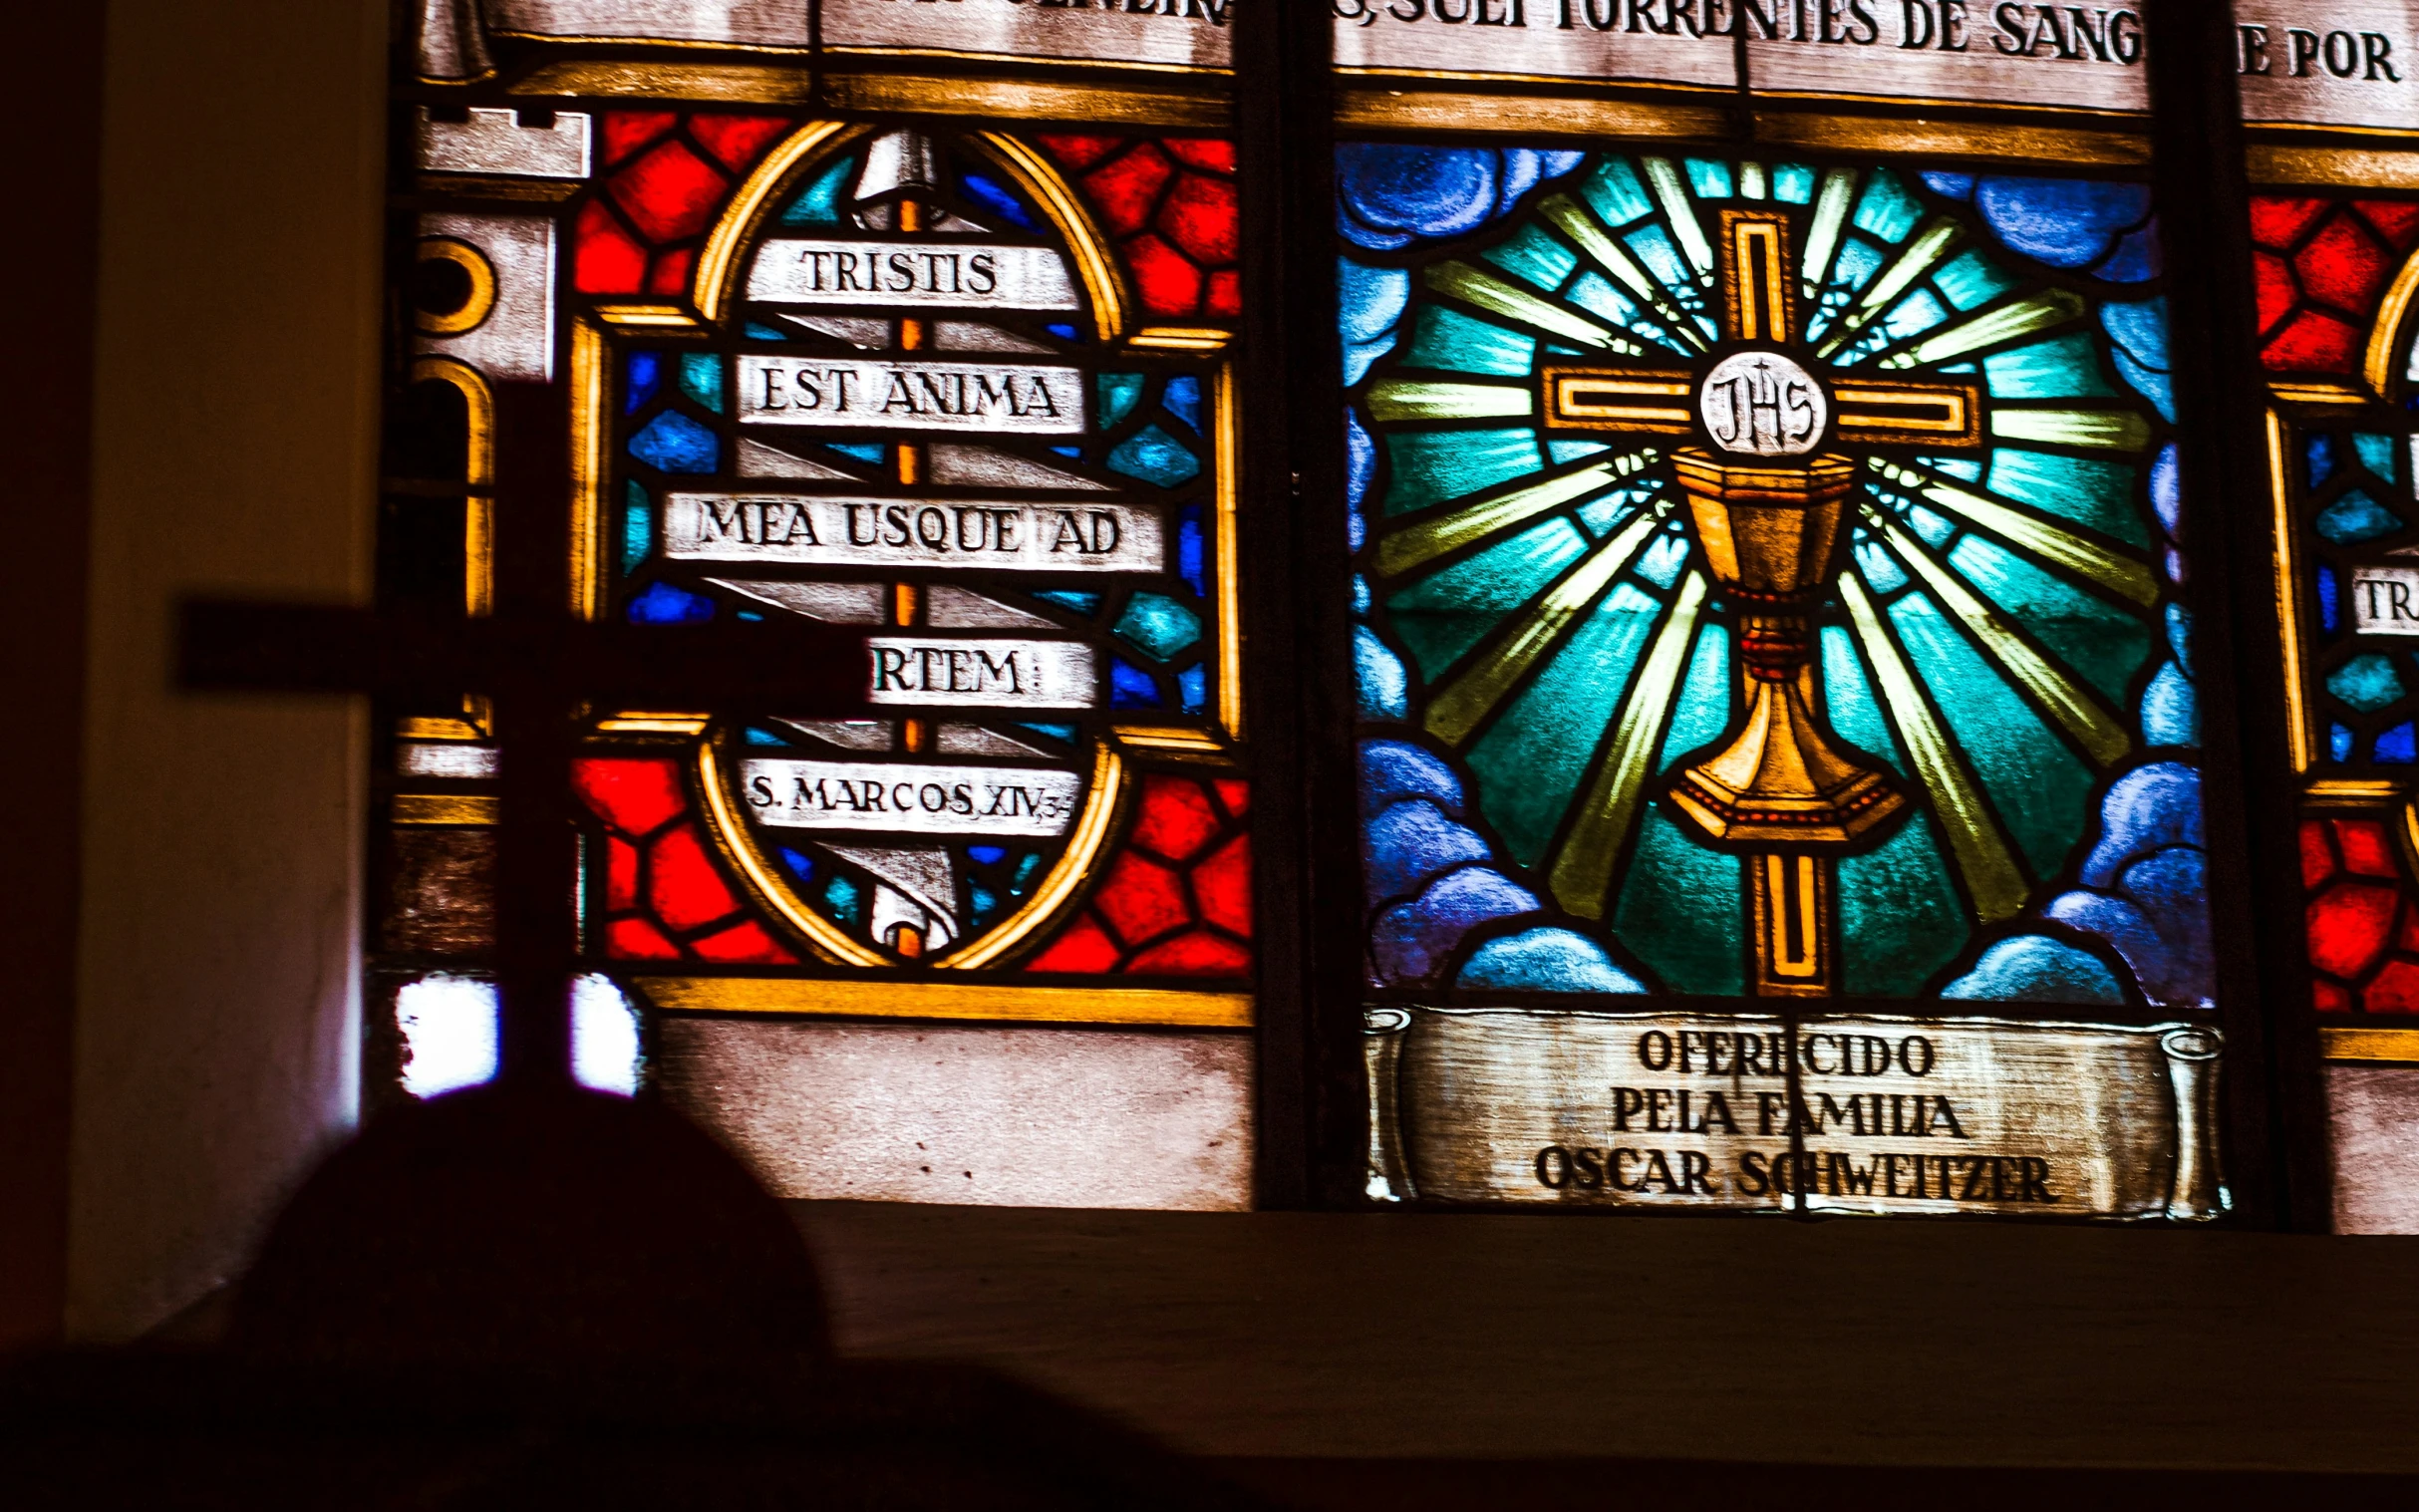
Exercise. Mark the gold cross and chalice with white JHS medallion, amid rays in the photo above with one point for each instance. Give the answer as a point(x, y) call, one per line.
point(1765, 502)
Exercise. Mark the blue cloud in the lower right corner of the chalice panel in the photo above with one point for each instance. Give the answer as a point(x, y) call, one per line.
point(2144, 891)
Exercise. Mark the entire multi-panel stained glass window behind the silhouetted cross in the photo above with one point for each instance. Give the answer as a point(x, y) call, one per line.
point(1728, 696)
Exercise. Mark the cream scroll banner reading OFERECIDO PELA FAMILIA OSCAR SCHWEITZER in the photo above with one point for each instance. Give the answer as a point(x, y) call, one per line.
point(1695, 1112)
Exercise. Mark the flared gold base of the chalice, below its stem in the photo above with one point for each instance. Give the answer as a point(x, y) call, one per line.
point(1784, 785)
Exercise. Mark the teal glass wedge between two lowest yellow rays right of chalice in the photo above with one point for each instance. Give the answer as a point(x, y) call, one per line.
point(2038, 785)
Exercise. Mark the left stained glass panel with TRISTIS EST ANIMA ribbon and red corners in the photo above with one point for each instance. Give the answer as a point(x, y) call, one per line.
point(819, 342)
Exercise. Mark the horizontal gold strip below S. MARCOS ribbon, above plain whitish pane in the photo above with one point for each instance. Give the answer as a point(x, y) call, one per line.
point(949, 1000)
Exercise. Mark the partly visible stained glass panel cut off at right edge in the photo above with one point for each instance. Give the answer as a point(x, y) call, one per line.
point(2336, 226)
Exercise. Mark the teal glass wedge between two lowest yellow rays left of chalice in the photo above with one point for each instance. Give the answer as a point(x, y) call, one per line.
point(1537, 754)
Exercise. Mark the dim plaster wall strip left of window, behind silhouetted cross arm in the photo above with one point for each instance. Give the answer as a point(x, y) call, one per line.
point(233, 451)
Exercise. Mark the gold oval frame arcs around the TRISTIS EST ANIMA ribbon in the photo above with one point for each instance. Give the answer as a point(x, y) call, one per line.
point(720, 270)
